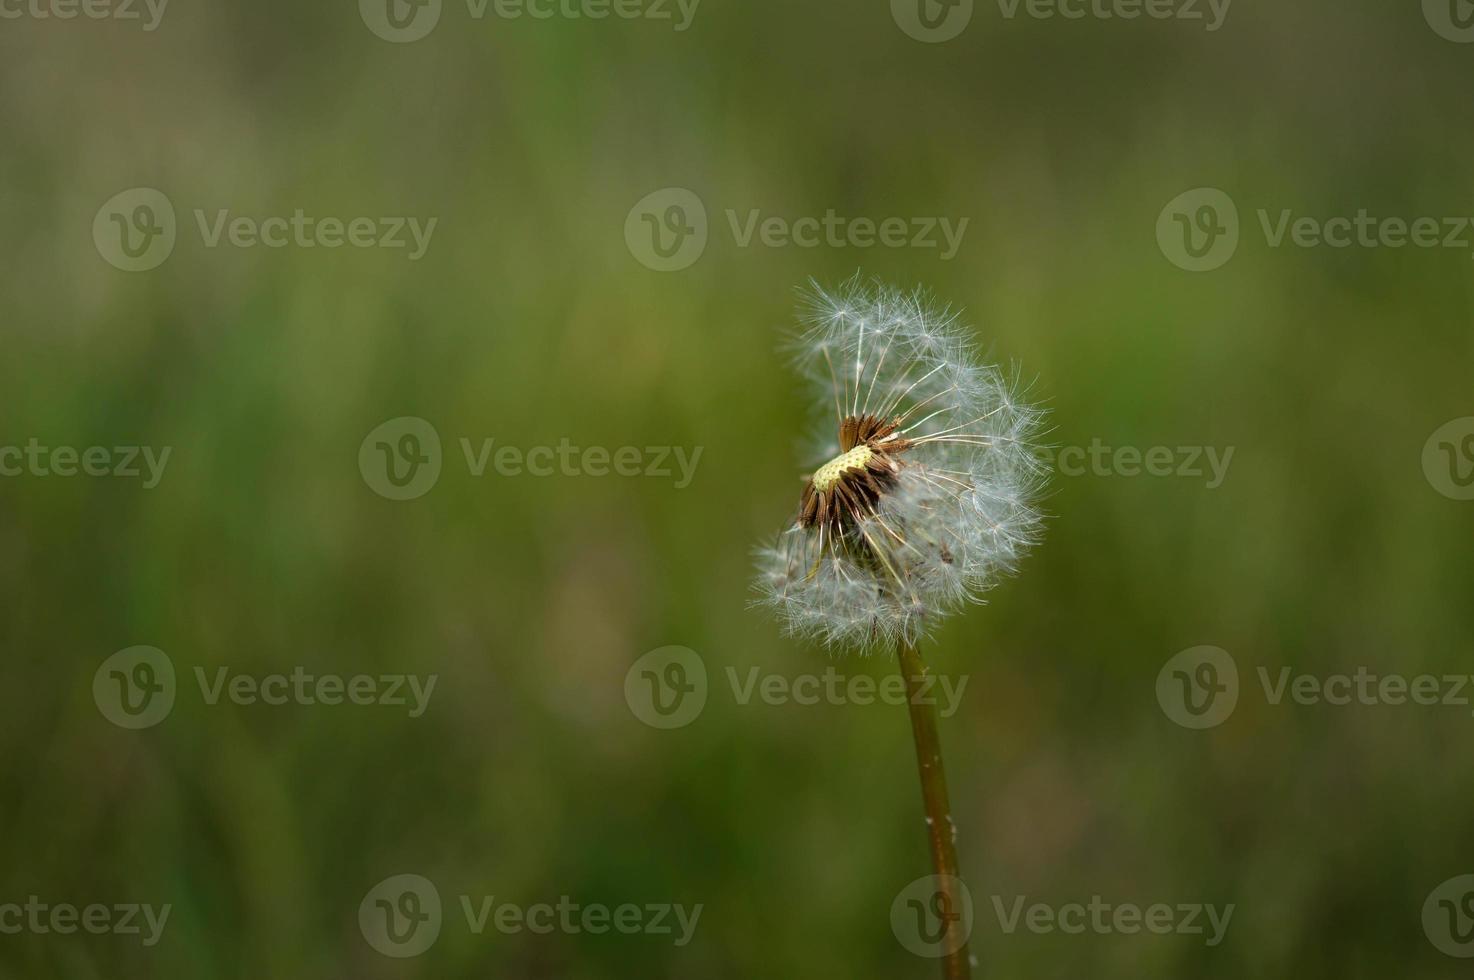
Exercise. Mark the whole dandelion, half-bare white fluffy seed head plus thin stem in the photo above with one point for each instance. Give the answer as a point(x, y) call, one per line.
point(926, 497)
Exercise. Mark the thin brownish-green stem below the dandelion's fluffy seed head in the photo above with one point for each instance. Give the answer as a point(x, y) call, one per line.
point(941, 832)
